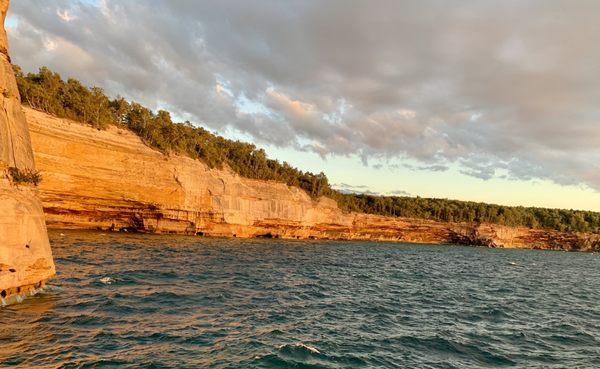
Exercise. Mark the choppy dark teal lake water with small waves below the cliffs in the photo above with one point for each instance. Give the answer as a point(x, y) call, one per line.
point(138, 301)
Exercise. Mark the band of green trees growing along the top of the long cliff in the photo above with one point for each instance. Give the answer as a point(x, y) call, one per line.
point(48, 92)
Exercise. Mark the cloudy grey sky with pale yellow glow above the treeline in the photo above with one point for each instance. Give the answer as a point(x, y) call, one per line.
point(495, 101)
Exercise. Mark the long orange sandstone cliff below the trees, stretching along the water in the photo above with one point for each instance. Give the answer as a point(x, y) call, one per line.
point(110, 180)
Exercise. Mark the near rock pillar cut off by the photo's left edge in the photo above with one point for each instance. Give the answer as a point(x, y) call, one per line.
point(25, 256)
